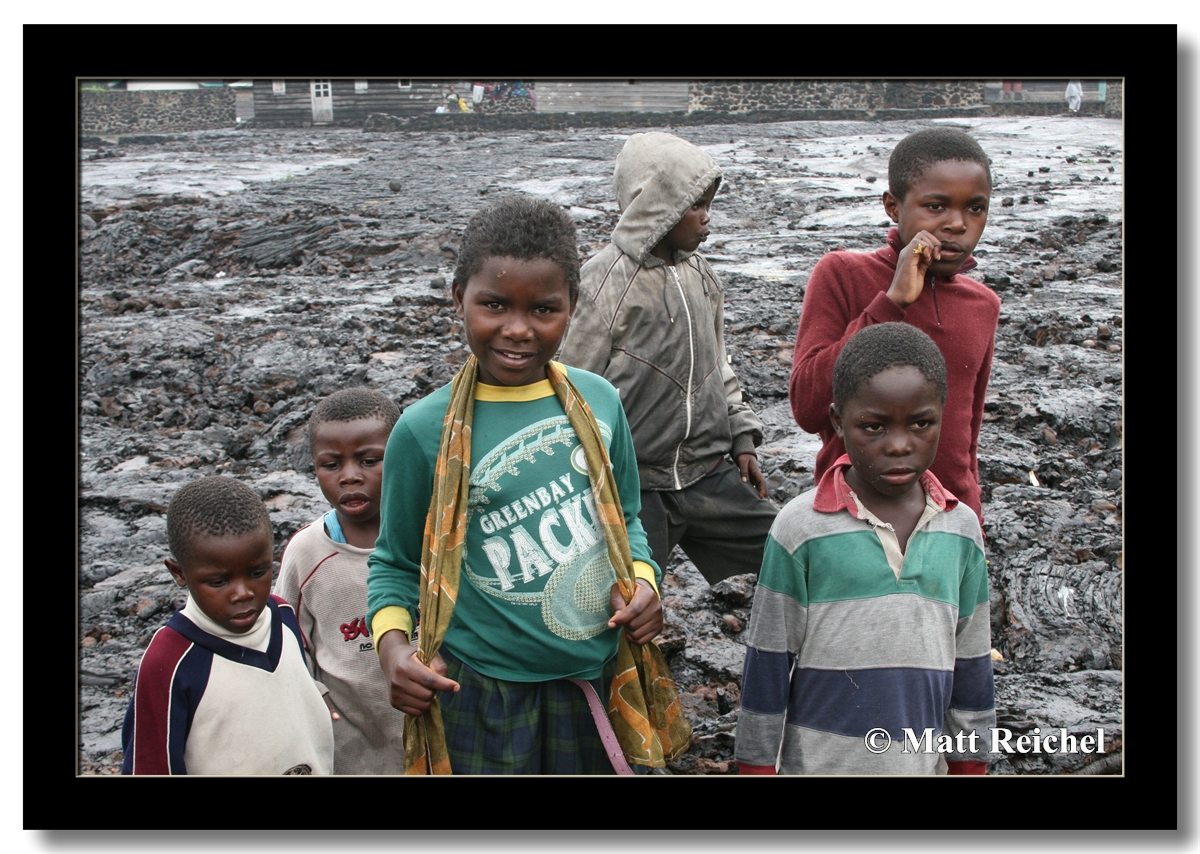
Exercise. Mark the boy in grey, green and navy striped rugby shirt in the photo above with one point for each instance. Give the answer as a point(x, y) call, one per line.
point(872, 610)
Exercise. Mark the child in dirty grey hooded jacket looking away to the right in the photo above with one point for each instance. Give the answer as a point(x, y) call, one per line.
point(651, 320)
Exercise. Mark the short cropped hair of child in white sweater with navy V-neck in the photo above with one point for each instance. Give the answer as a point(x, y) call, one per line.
point(213, 507)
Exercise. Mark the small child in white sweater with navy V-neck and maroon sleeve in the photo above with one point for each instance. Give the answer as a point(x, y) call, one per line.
point(223, 688)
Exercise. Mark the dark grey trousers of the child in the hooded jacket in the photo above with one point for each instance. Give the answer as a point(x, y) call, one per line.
point(719, 522)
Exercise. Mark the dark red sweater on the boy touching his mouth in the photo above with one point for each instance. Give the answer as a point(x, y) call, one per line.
point(847, 292)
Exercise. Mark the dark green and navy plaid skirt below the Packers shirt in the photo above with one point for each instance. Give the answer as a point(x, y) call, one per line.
point(495, 726)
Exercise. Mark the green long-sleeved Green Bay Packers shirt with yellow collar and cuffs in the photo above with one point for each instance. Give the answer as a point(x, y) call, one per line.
point(535, 593)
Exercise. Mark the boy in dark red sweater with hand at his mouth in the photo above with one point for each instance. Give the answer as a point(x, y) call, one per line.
point(939, 190)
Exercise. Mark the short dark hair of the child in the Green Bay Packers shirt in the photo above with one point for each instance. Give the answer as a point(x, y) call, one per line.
point(521, 228)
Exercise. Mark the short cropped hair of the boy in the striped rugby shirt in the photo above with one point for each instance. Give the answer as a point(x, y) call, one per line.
point(885, 346)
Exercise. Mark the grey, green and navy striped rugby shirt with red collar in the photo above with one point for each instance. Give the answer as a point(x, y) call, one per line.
point(848, 635)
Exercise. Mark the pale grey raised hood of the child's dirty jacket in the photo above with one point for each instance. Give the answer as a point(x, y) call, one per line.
point(658, 178)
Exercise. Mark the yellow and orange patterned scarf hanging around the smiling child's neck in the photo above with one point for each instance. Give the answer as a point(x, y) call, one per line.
point(644, 707)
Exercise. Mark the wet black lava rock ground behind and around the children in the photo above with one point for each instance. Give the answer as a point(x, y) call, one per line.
point(231, 280)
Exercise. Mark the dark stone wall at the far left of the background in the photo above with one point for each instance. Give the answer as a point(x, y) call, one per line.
point(157, 111)
